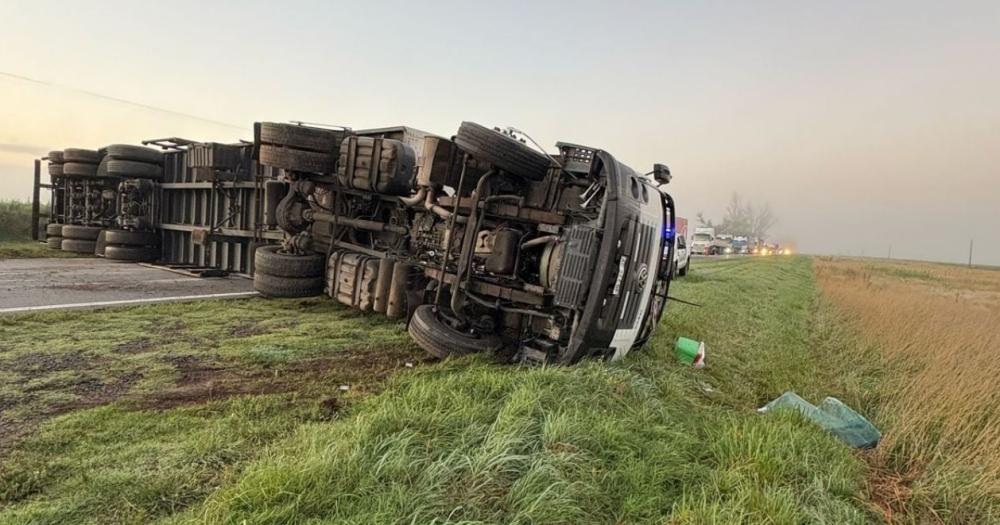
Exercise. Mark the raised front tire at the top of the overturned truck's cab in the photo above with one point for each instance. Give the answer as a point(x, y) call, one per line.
point(503, 152)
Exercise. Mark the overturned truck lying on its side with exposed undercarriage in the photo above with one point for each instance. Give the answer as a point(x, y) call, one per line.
point(481, 242)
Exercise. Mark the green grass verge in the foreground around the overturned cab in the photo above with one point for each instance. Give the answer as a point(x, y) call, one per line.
point(644, 440)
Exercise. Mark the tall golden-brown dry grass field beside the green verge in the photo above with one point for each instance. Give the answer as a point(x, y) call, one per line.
point(936, 327)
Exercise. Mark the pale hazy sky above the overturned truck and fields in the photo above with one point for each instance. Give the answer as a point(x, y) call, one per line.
point(864, 125)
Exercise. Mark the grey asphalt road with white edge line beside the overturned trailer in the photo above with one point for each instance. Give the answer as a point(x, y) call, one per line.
point(46, 284)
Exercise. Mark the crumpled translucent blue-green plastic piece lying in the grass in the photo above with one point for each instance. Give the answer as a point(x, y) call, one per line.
point(833, 415)
